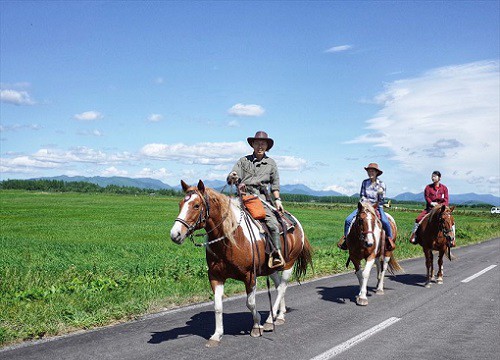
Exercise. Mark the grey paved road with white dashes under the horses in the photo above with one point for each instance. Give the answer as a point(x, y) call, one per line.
point(456, 320)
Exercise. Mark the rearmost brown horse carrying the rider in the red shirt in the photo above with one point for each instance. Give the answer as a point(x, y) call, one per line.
point(435, 233)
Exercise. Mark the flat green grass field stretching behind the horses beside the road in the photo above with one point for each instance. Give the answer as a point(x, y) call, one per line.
point(75, 261)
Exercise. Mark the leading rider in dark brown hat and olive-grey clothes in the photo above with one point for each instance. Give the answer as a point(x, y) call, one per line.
point(255, 173)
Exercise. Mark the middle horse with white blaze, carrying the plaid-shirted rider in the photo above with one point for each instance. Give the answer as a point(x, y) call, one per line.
point(366, 240)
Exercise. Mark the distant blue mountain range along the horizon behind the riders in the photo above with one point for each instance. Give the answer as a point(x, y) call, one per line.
point(147, 183)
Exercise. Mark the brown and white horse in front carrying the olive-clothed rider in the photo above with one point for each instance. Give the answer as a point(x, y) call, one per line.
point(236, 249)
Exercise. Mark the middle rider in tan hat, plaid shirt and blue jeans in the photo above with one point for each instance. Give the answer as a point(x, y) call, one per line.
point(372, 191)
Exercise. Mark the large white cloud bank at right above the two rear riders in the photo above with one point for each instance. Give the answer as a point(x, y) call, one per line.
point(447, 119)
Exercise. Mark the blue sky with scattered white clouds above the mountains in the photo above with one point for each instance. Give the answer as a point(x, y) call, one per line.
point(171, 90)
